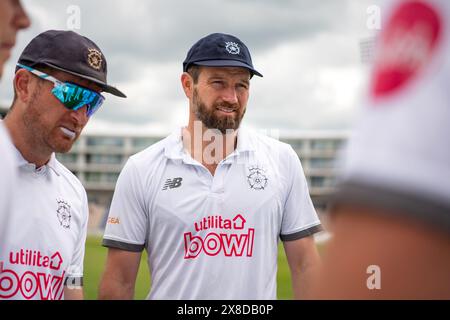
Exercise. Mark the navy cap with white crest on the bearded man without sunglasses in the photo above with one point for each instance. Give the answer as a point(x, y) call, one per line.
point(220, 50)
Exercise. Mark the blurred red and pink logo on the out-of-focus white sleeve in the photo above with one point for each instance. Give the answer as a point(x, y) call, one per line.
point(406, 45)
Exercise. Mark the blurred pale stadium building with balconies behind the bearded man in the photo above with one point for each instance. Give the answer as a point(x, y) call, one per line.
point(98, 159)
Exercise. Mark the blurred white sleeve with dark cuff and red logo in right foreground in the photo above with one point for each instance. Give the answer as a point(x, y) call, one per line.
point(399, 155)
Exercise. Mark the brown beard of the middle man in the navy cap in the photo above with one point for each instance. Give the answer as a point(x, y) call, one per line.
point(210, 118)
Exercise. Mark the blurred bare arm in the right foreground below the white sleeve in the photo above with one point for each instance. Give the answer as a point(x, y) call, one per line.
point(413, 258)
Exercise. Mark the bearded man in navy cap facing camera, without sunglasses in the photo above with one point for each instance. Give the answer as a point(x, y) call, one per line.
point(210, 202)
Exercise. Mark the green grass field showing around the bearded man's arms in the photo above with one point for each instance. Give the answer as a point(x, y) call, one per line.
point(94, 263)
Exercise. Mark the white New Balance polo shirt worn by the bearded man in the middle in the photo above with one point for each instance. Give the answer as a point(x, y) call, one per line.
point(211, 237)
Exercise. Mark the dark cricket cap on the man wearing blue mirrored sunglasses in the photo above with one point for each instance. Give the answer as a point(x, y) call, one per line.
point(69, 52)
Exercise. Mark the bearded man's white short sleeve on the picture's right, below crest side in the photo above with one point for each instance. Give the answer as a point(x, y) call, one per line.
point(299, 216)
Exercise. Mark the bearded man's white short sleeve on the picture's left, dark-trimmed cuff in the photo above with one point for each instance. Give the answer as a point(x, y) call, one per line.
point(126, 226)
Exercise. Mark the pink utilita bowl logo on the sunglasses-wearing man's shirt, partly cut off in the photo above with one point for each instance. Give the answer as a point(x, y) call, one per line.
point(17, 283)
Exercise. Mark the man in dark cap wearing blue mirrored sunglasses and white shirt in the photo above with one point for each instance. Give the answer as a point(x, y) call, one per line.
point(58, 83)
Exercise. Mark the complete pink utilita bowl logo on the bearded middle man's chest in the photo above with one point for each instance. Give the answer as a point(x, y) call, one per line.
point(233, 241)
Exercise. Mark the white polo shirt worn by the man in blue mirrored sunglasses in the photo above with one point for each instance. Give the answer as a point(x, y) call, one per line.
point(44, 249)
